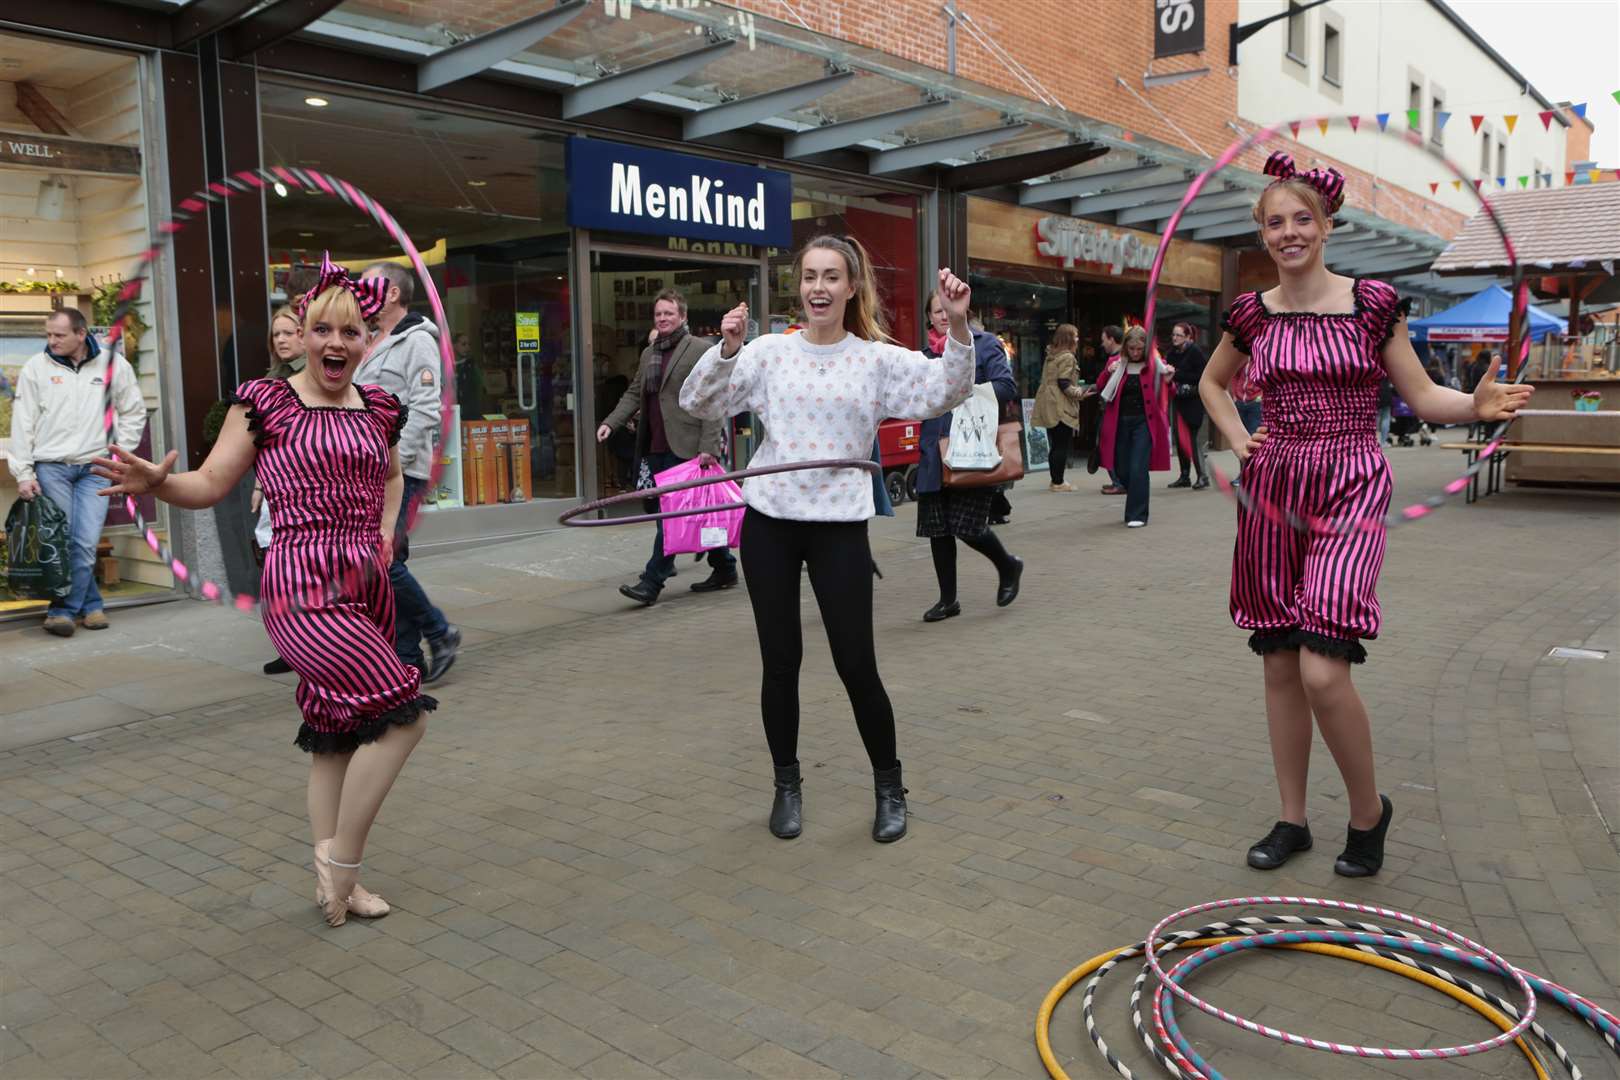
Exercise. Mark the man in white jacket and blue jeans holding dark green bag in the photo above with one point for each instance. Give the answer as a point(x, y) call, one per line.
point(59, 427)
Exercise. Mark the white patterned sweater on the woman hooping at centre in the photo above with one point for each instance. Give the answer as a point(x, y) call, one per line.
point(824, 402)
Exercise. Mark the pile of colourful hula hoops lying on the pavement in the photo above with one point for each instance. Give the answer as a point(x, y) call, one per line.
point(1157, 990)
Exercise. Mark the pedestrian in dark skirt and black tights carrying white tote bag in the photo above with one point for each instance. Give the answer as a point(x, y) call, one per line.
point(961, 514)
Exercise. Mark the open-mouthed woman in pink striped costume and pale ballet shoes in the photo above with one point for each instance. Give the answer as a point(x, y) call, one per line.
point(325, 453)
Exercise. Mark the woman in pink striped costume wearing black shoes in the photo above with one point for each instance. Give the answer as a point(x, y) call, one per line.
point(1318, 346)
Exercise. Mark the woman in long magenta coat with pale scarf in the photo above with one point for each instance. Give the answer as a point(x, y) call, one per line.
point(1136, 438)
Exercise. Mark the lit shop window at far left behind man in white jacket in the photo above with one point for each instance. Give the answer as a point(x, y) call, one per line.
point(74, 223)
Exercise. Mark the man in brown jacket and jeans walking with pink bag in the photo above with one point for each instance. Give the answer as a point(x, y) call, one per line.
point(668, 436)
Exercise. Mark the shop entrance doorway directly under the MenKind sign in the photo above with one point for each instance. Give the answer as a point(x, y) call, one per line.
point(625, 283)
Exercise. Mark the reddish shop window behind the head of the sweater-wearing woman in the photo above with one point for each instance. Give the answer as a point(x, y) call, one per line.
point(887, 227)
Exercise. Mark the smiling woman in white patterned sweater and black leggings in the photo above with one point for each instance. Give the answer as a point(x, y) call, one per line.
point(822, 394)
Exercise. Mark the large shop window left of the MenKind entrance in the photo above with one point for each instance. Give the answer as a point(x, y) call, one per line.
point(487, 206)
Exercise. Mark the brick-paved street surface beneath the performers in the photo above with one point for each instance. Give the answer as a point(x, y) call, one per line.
point(584, 885)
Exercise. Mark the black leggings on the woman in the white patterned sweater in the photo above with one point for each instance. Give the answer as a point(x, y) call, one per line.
point(840, 561)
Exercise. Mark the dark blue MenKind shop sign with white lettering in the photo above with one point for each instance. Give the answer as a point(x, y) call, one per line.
point(637, 190)
